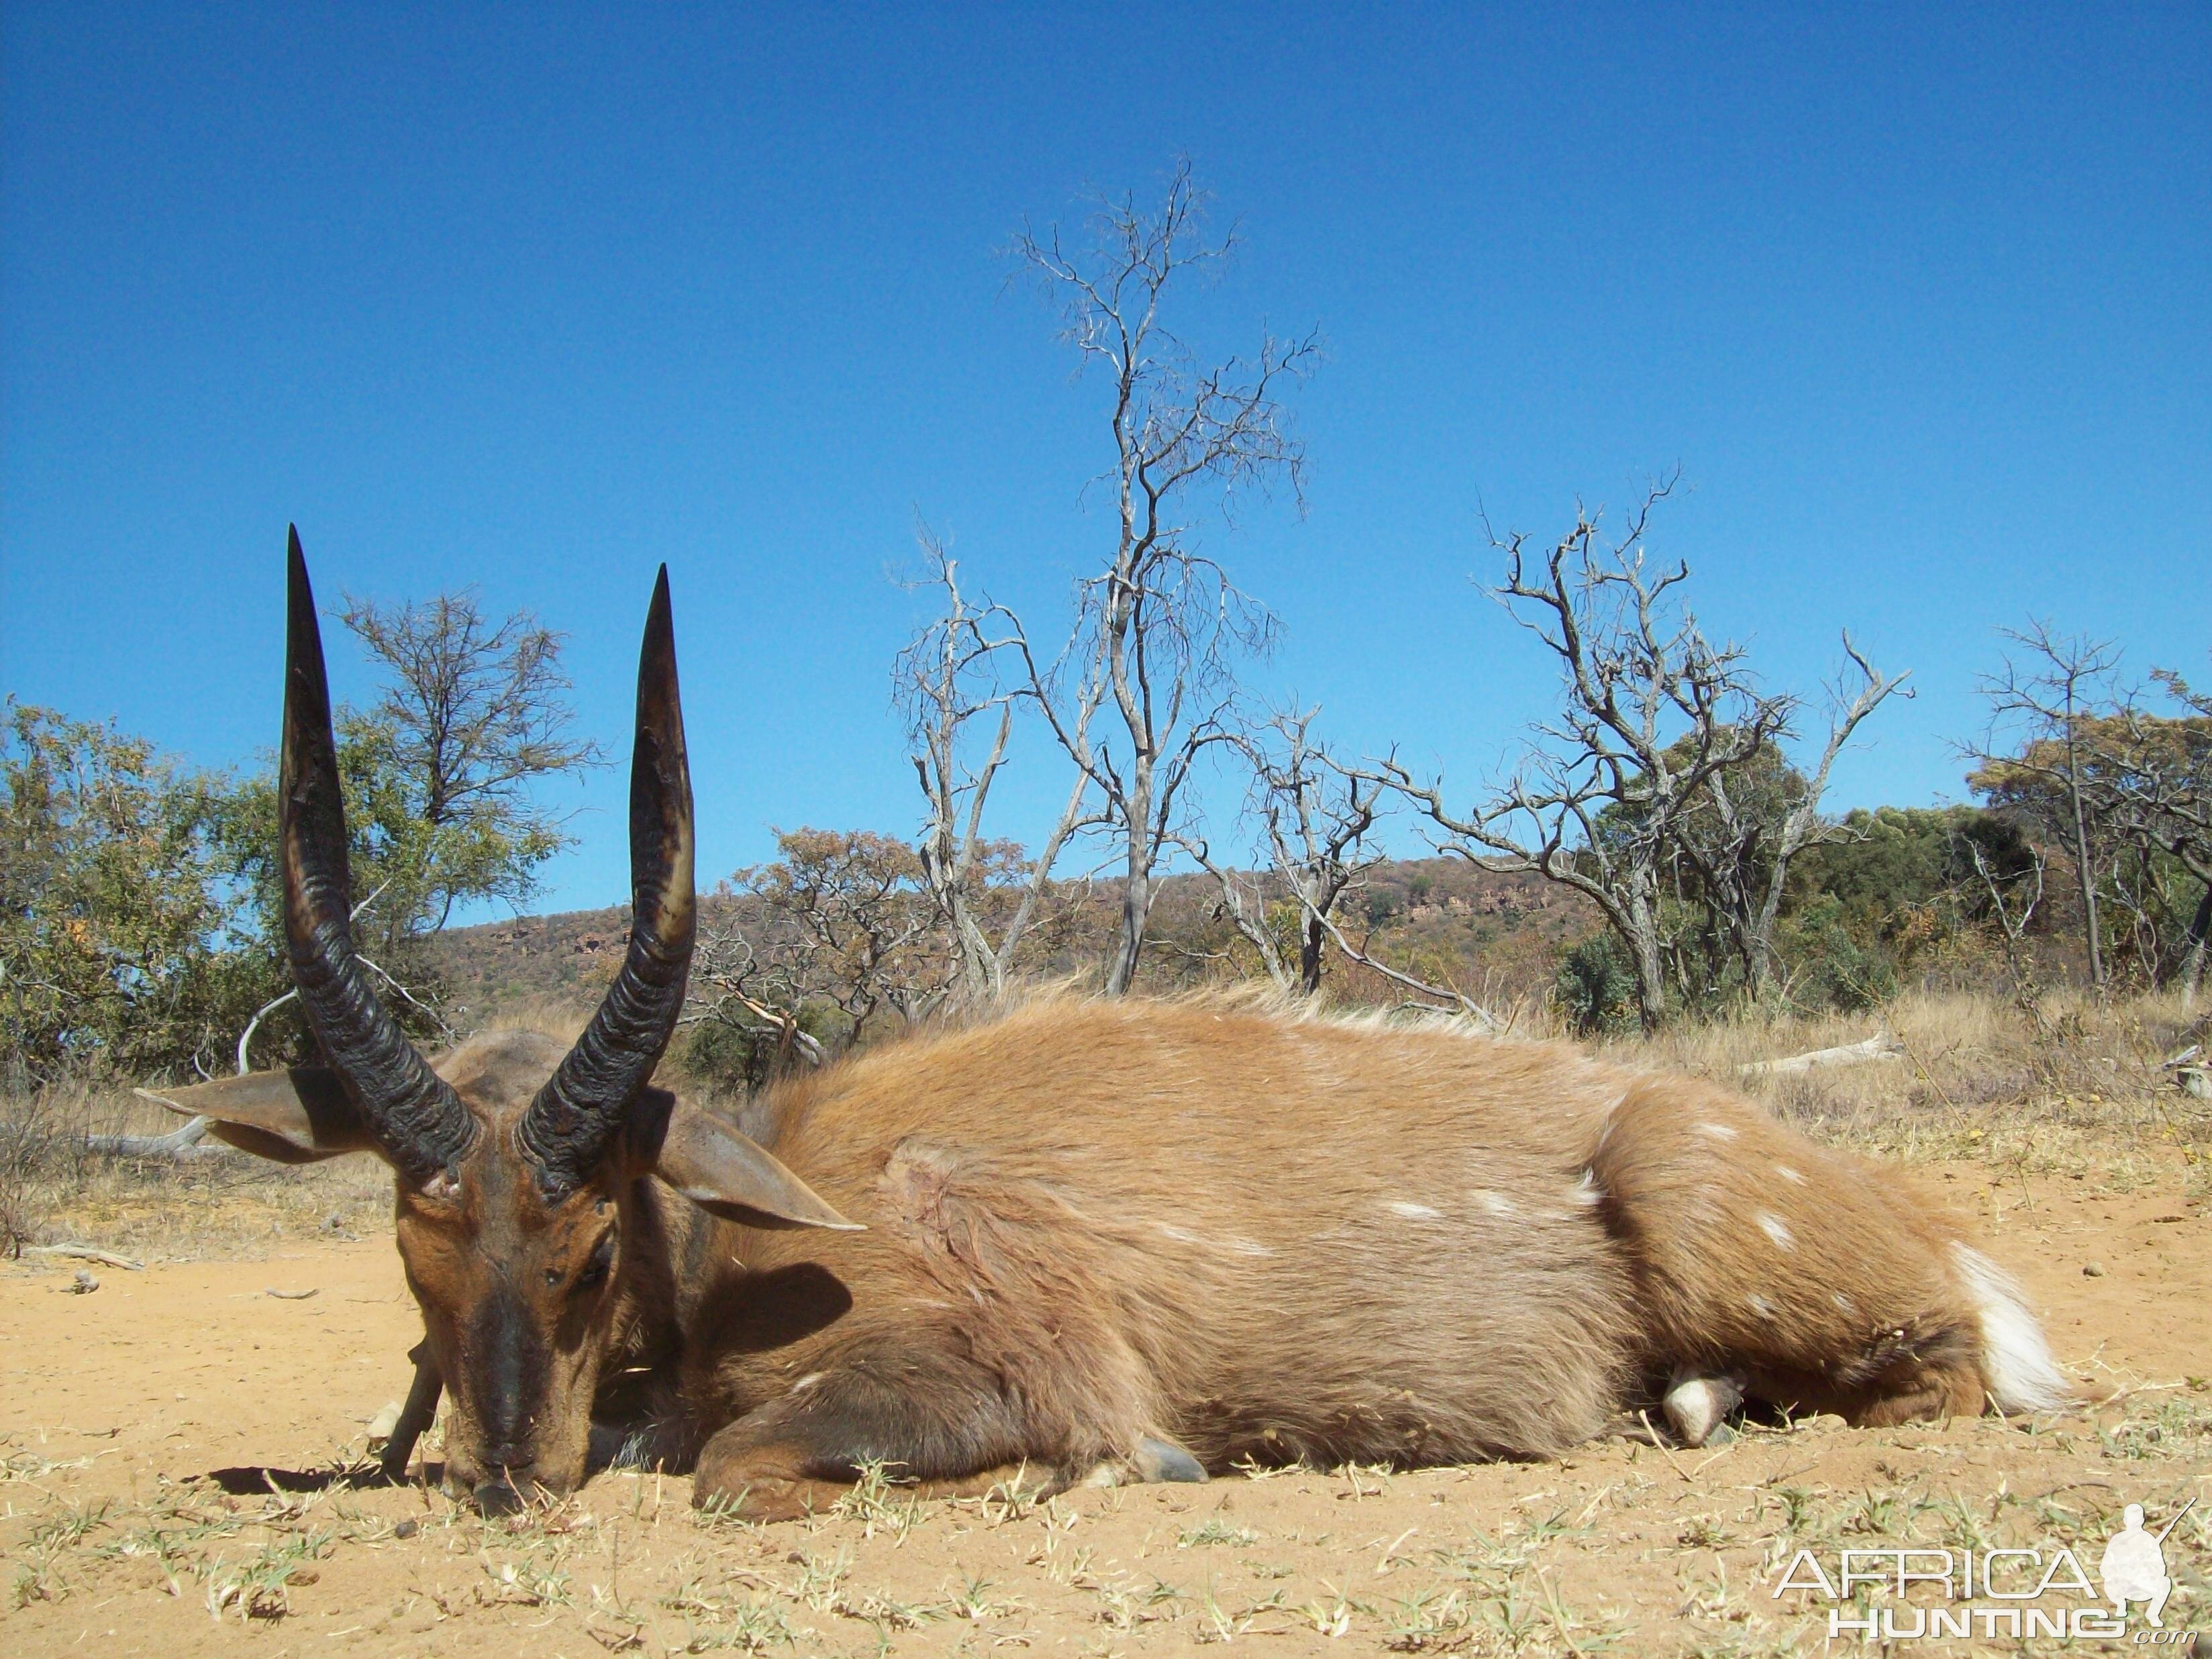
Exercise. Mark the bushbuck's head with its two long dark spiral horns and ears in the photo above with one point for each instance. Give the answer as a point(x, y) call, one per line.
point(517, 1158)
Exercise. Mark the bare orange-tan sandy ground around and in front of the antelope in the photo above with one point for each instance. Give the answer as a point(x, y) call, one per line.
point(171, 1441)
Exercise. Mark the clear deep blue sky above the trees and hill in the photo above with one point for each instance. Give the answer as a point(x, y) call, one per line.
point(536, 298)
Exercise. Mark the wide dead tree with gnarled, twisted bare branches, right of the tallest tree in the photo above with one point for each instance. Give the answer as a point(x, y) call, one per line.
point(1653, 727)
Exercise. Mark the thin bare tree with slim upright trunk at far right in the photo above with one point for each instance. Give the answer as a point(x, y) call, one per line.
point(2041, 709)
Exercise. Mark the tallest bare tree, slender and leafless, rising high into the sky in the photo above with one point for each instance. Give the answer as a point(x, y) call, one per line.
point(1160, 627)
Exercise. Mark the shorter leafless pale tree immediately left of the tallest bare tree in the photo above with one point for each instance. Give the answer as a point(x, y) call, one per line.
point(950, 689)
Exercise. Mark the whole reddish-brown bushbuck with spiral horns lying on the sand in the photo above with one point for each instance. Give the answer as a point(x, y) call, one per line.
point(1100, 1240)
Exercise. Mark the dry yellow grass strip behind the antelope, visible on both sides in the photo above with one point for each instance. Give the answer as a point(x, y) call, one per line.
point(2074, 1089)
